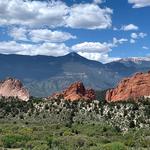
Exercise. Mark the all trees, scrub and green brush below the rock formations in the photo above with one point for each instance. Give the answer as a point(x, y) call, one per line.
point(81, 125)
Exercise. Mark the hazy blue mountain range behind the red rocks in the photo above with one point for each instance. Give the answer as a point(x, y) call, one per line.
point(43, 75)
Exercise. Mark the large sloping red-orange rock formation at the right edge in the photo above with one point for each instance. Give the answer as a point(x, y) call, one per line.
point(135, 87)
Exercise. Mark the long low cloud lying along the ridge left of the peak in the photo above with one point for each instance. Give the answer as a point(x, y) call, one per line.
point(51, 49)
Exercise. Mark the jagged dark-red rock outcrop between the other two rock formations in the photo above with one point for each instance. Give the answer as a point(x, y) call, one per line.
point(76, 91)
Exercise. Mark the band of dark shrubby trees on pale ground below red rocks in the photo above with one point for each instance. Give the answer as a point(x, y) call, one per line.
point(81, 111)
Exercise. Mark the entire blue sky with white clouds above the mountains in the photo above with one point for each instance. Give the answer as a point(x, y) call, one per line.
point(101, 30)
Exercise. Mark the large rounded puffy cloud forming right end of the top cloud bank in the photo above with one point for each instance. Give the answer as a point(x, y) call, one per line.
point(89, 16)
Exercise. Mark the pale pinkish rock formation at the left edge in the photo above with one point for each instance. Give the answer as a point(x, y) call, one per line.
point(13, 88)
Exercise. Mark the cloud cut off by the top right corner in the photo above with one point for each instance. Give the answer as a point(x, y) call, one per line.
point(139, 3)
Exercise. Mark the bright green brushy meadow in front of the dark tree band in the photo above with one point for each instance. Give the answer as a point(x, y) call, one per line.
point(94, 136)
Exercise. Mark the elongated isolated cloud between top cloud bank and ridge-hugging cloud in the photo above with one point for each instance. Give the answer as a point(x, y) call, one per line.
point(40, 35)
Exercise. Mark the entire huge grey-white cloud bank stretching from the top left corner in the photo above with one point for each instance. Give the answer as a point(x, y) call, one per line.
point(54, 14)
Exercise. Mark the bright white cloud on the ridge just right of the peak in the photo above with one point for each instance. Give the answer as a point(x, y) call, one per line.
point(96, 50)
